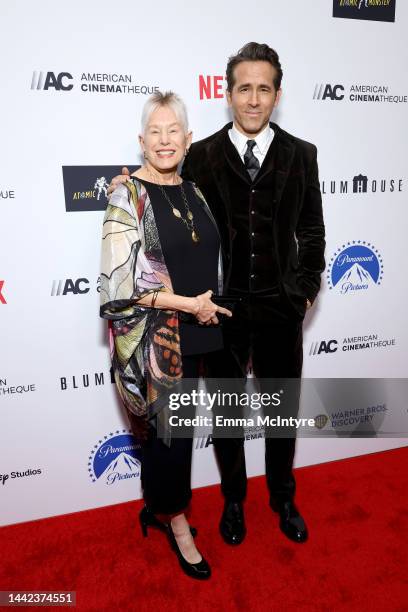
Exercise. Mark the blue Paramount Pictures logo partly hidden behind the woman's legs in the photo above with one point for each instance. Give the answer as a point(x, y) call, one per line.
point(115, 458)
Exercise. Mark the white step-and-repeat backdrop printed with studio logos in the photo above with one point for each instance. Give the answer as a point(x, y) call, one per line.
point(74, 78)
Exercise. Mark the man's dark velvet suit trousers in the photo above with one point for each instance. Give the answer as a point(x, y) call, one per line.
point(265, 332)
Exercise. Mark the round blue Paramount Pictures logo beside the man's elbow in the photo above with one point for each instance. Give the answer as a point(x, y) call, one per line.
point(356, 266)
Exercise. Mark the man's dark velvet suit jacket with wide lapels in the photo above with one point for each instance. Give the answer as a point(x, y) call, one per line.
point(295, 204)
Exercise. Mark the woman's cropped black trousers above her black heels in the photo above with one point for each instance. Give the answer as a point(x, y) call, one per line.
point(166, 470)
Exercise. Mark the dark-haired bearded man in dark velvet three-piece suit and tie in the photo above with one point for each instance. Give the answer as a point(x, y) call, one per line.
point(262, 186)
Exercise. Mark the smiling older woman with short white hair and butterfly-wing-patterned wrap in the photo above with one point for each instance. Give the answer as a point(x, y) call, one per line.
point(161, 257)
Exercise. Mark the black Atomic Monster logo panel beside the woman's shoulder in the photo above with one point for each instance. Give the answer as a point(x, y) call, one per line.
point(86, 187)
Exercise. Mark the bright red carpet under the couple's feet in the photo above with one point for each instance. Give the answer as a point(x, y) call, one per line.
point(356, 557)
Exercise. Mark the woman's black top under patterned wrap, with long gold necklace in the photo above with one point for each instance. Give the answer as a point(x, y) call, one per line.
point(193, 267)
